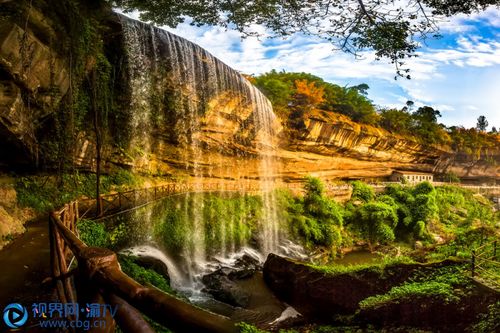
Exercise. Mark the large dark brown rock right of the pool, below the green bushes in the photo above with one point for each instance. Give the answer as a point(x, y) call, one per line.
point(317, 294)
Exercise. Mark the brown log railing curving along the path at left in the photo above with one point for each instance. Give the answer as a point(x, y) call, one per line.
point(100, 279)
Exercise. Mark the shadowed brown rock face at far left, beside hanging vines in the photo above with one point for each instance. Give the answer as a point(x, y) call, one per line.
point(33, 78)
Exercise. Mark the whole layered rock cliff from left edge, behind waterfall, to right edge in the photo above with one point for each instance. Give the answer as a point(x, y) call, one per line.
point(181, 112)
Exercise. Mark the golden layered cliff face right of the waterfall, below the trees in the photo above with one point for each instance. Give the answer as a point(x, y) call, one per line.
point(333, 146)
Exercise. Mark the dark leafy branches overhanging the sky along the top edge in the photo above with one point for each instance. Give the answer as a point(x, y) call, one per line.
point(393, 29)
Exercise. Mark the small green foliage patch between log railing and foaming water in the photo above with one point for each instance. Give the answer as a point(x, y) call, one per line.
point(143, 275)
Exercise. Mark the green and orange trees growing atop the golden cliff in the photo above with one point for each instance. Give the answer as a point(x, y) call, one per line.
point(295, 95)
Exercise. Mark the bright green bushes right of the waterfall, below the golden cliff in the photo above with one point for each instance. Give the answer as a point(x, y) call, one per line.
point(402, 214)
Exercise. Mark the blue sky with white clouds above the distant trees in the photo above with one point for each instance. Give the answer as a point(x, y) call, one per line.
point(457, 74)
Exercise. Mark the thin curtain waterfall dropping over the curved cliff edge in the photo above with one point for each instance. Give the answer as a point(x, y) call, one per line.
point(192, 105)
